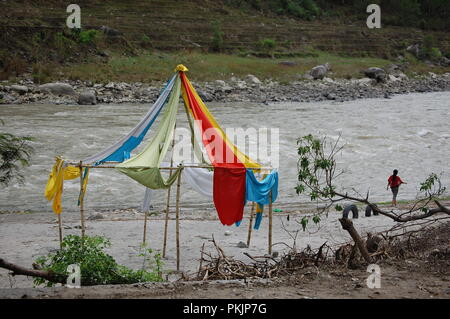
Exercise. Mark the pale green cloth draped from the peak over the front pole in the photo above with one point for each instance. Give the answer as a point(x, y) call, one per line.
point(144, 167)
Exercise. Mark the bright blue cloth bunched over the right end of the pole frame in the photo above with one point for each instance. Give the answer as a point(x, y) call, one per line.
point(258, 191)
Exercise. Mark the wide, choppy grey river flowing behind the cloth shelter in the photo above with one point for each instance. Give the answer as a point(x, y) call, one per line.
point(408, 132)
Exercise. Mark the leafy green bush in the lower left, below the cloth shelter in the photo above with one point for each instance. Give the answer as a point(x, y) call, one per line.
point(96, 266)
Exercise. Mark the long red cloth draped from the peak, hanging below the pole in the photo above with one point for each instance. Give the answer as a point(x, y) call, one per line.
point(229, 172)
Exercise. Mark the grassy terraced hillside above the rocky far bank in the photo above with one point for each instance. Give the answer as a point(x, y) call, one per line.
point(34, 37)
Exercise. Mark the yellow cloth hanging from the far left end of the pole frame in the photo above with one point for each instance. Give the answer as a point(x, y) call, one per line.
point(55, 183)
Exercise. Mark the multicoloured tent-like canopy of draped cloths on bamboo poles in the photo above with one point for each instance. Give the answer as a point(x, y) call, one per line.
point(231, 184)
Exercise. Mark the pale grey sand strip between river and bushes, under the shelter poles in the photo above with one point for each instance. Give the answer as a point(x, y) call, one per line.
point(23, 237)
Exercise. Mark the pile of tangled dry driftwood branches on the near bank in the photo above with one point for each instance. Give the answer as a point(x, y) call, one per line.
point(222, 267)
